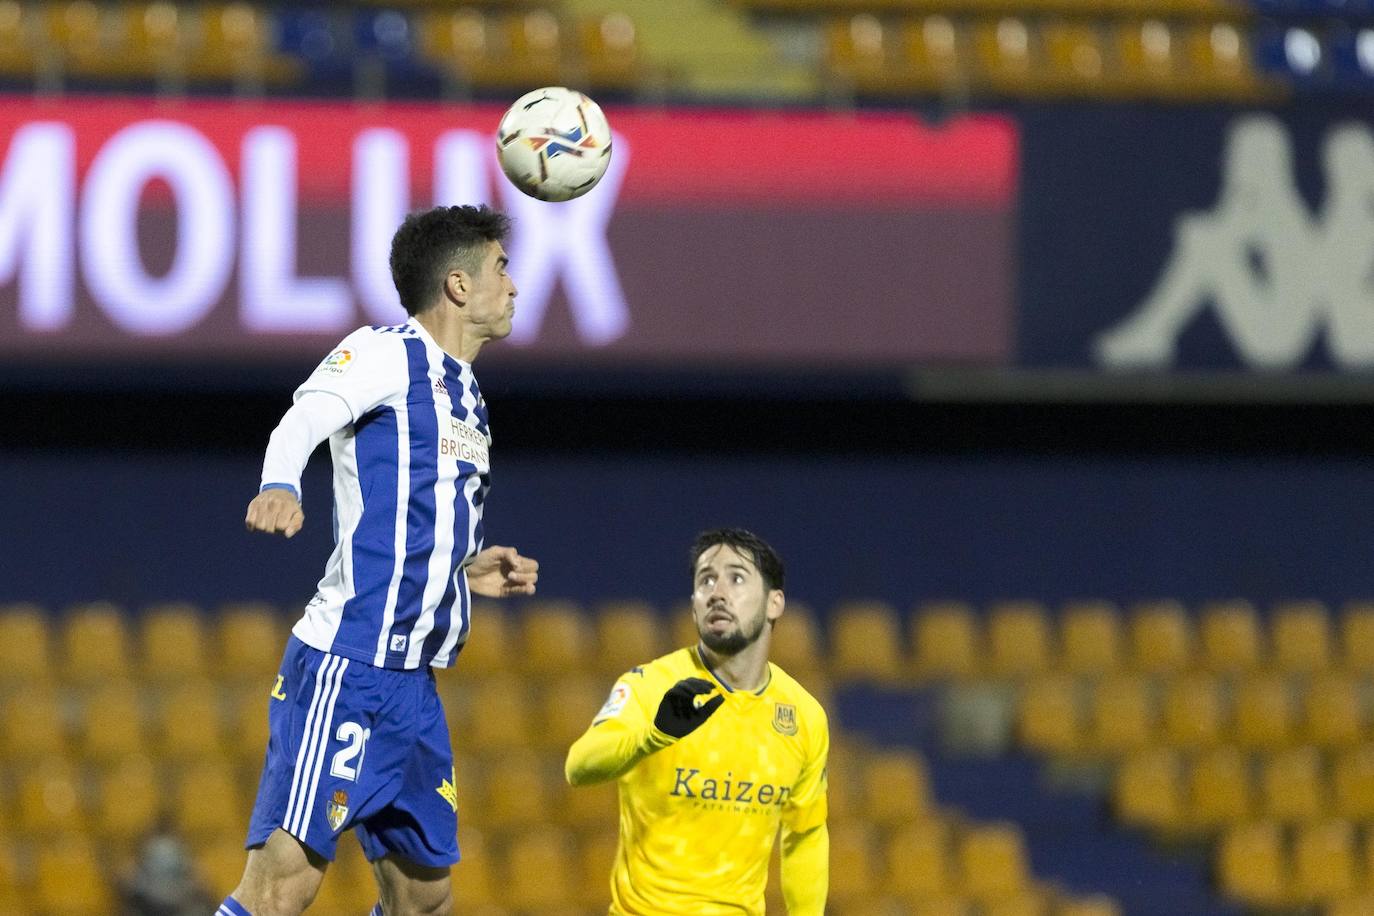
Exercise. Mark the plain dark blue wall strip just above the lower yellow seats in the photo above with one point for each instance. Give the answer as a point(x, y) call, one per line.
point(139, 529)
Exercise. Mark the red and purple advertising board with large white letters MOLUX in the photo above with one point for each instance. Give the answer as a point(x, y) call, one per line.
point(134, 229)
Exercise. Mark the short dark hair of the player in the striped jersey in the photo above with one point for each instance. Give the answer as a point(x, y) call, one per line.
point(433, 242)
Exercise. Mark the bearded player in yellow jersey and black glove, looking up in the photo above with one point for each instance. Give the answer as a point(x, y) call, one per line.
point(715, 749)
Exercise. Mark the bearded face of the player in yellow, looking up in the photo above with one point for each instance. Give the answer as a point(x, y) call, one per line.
point(730, 601)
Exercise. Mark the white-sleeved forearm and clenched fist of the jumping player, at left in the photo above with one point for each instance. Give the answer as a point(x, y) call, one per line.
point(314, 418)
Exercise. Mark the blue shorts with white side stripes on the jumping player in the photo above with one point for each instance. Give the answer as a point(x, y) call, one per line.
point(358, 746)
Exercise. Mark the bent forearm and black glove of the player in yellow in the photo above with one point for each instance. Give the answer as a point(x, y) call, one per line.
point(623, 735)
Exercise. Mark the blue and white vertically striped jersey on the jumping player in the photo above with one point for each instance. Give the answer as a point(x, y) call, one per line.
point(412, 474)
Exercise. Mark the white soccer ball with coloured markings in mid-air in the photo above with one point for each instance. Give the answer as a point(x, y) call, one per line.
point(554, 144)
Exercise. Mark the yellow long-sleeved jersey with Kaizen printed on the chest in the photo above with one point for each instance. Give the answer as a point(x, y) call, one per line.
point(699, 816)
